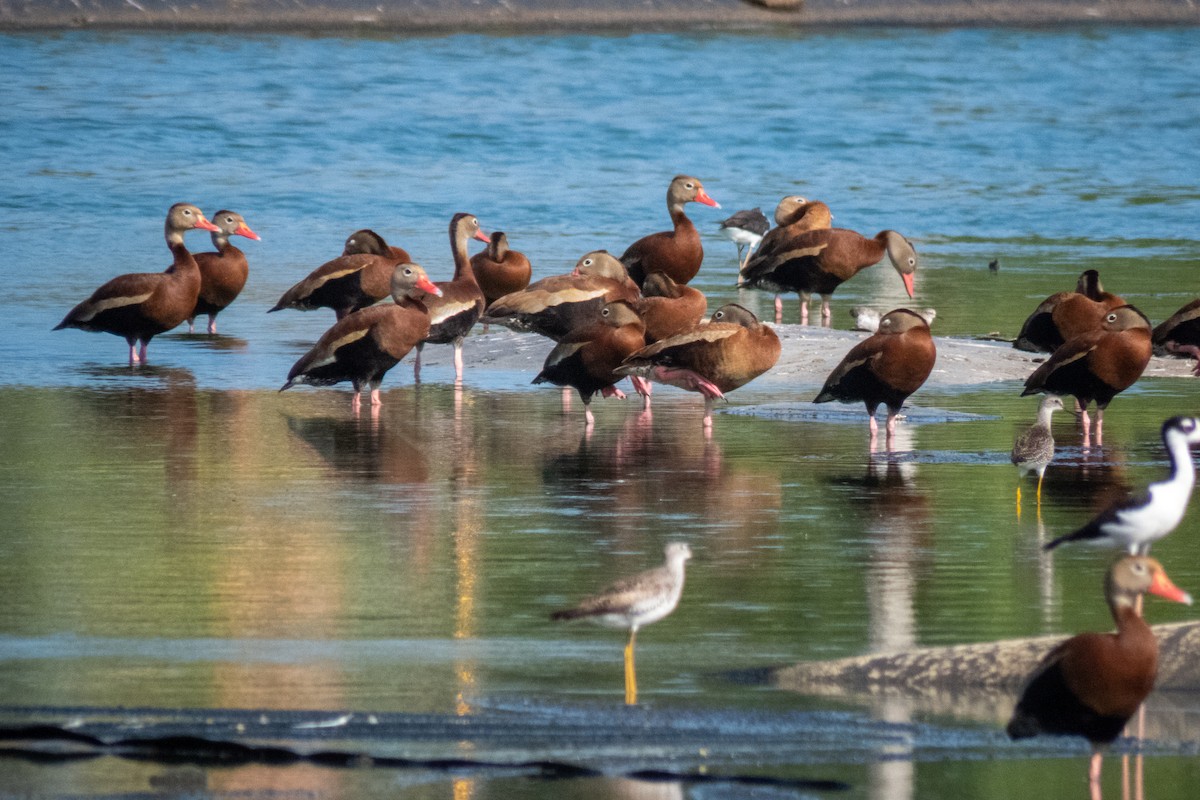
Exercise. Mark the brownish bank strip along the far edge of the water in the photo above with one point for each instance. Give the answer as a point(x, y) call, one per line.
point(547, 16)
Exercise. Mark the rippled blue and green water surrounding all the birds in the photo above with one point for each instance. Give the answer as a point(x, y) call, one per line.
point(184, 537)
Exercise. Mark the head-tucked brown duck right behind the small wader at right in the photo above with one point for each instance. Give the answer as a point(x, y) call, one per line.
point(1097, 365)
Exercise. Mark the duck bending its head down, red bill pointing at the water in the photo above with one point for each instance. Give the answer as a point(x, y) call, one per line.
point(821, 261)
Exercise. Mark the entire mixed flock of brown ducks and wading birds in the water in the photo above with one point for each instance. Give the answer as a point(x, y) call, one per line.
point(635, 316)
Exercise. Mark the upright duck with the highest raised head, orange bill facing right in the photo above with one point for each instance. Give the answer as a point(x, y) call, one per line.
point(677, 252)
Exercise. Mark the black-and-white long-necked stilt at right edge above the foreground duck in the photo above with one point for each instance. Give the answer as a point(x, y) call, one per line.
point(1141, 521)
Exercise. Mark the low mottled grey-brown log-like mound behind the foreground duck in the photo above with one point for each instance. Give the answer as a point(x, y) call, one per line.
point(991, 666)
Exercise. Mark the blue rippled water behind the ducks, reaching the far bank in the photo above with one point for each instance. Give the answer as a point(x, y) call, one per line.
point(1052, 151)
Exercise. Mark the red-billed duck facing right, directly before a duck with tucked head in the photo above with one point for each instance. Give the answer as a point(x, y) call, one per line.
point(365, 345)
